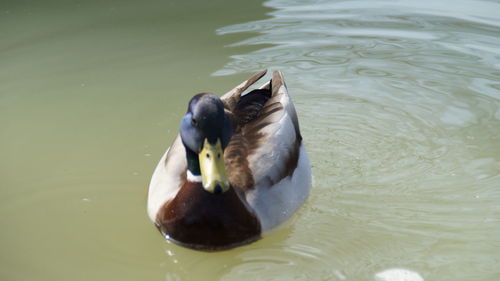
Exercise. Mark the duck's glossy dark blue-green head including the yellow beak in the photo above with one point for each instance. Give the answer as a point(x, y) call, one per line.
point(205, 132)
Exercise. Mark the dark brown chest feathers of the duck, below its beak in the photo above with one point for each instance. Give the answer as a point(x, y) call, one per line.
point(205, 221)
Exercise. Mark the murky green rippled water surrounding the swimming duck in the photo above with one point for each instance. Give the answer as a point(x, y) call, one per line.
point(399, 104)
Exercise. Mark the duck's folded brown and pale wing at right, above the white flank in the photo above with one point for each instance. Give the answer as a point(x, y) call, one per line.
point(265, 147)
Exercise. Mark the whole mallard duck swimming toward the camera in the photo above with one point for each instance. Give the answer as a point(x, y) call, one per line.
point(237, 170)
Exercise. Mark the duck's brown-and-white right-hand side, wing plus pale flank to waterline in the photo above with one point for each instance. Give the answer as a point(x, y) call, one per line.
point(265, 158)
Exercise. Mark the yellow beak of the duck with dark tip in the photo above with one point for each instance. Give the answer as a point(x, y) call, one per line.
point(213, 172)
